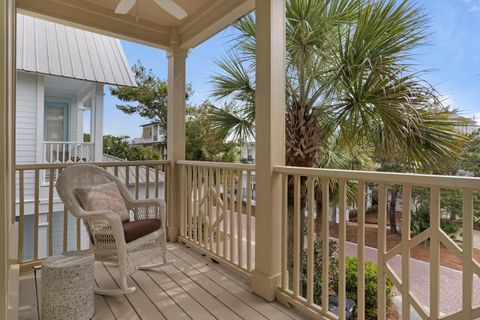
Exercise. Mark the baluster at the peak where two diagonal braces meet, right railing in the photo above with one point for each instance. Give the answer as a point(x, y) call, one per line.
point(434, 253)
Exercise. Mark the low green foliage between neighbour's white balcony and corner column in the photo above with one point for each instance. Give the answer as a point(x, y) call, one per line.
point(120, 148)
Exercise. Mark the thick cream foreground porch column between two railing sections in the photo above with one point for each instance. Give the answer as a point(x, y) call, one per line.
point(270, 143)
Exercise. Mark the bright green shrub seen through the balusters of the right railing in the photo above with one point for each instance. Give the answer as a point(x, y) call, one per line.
point(371, 274)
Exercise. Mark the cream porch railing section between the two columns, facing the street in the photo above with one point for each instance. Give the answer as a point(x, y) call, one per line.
point(217, 214)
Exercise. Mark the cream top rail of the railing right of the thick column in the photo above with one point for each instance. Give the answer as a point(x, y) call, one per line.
point(385, 177)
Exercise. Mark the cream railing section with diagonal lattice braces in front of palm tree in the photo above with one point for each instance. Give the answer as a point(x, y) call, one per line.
point(314, 186)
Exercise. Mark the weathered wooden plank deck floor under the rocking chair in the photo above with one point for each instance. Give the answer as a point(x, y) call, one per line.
point(191, 288)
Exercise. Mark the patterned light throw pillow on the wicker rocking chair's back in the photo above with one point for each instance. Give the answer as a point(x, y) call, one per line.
point(103, 197)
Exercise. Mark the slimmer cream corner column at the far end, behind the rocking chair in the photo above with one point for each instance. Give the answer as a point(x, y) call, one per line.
point(175, 133)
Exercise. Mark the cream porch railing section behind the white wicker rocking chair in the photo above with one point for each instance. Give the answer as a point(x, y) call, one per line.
point(46, 228)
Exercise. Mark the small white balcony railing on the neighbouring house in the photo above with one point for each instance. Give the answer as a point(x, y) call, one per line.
point(68, 152)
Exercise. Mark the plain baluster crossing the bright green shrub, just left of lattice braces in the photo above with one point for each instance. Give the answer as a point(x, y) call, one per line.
point(361, 251)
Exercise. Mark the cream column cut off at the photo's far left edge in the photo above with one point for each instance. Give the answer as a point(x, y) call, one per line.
point(7, 152)
